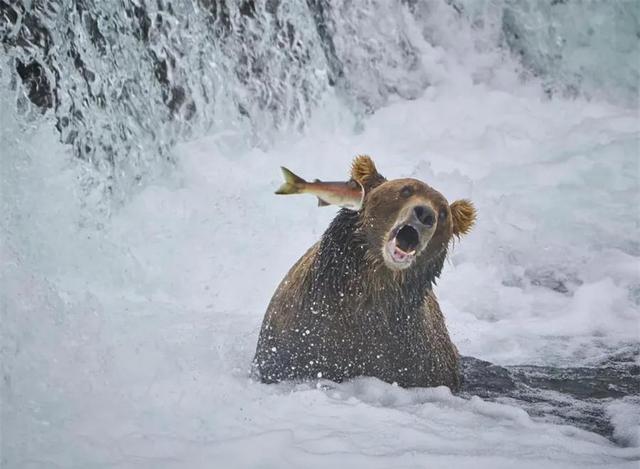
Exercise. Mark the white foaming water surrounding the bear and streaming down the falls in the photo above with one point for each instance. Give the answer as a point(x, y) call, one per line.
point(127, 340)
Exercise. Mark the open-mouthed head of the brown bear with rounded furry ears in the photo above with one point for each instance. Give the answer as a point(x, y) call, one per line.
point(406, 222)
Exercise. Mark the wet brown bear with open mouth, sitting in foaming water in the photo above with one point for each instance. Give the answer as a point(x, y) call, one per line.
point(360, 302)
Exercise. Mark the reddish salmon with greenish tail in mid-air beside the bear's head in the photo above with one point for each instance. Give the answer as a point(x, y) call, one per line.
point(349, 194)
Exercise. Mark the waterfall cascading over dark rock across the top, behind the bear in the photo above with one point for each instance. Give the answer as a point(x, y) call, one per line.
point(126, 80)
